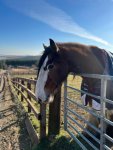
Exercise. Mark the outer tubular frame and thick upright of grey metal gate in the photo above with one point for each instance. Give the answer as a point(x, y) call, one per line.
point(103, 100)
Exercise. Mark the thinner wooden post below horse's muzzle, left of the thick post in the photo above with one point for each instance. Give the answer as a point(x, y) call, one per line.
point(43, 121)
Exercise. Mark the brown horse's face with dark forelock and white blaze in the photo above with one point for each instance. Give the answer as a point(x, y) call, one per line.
point(52, 73)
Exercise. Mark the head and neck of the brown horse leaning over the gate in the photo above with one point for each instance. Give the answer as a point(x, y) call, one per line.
point(59, 59)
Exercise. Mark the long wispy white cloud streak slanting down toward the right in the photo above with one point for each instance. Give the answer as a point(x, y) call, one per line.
point(55, 17)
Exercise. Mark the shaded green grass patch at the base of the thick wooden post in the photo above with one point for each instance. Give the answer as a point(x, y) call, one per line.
point(60, 142)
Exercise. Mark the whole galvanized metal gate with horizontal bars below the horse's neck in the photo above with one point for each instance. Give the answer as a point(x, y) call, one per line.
point(72, 119)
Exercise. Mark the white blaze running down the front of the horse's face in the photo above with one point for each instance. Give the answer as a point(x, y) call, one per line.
point(42, 78)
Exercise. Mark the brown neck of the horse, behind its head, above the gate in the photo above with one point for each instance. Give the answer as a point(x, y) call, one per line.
point(83, 60)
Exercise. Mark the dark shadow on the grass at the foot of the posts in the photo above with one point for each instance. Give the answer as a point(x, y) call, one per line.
point(63, 143)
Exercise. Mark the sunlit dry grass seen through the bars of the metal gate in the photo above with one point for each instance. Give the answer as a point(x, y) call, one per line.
point(76, 97)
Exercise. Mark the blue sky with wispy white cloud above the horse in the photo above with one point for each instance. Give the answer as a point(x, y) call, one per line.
point(26, 25)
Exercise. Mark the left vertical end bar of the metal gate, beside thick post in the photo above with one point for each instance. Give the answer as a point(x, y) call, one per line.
point(65, 105)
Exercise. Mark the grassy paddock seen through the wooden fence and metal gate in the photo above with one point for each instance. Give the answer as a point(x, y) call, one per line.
point(62, 141)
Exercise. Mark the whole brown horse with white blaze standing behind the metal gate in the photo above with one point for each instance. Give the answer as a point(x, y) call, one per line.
point(60, 59)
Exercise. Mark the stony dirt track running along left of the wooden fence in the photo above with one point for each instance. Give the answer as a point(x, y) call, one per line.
point(13, 133)
